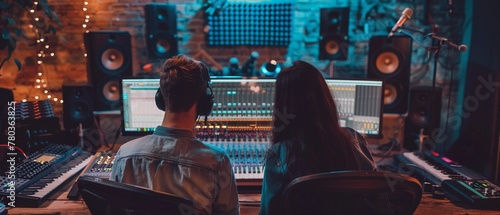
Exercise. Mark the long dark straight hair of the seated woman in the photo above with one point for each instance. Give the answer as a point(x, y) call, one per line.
point(305, 118)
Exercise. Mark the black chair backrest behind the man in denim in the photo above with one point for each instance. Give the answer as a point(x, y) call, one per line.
point(104, 197)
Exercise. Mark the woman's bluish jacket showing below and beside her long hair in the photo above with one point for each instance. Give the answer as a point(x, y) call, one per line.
point(277, 174)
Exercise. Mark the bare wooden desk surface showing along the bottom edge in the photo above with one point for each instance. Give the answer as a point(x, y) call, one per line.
point(249, 205)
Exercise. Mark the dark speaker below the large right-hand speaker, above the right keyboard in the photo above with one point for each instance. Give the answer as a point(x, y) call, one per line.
point(424, 116)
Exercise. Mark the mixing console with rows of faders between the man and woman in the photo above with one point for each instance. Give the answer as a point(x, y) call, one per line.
point(244, 139)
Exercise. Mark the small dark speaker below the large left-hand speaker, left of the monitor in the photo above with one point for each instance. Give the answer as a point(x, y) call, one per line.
point(77, 106)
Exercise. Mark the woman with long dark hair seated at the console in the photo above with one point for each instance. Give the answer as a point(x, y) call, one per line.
point(307, 137)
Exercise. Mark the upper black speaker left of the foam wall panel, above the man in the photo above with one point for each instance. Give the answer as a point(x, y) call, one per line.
point(161, 30)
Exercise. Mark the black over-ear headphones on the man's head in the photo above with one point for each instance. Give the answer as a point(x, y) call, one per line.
point(206, 101)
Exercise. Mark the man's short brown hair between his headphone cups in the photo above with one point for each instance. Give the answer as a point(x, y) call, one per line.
point(182, 82)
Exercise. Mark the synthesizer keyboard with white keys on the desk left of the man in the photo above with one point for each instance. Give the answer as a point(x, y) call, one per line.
point(41, 175)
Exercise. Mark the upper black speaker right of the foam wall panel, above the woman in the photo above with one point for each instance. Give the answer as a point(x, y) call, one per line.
point(334, 28)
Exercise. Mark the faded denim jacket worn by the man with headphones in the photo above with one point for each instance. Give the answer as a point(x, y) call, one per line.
point(174, 161)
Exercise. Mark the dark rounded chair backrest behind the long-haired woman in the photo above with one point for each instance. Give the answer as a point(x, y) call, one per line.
point(353, 192)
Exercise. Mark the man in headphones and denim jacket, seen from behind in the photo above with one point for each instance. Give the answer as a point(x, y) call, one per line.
point(172, 160)
